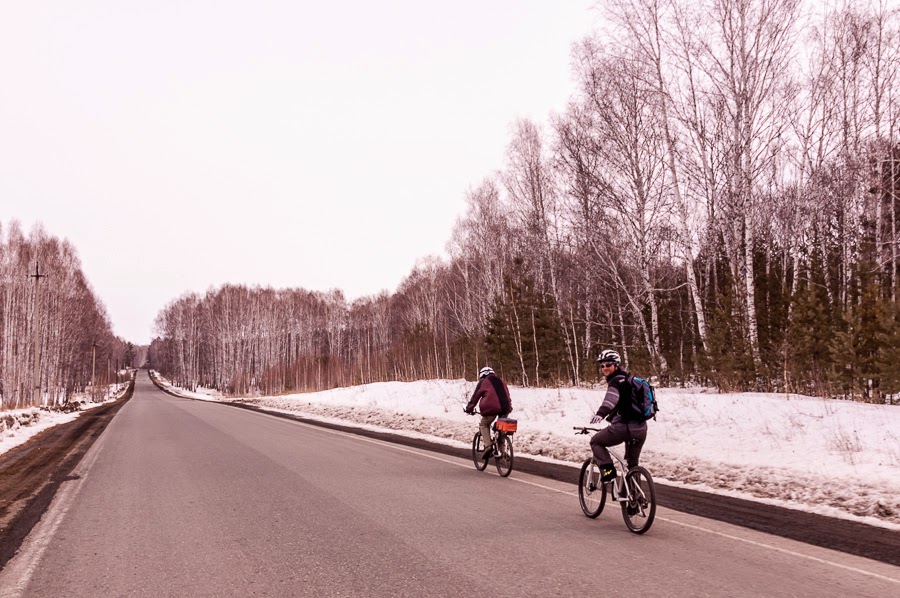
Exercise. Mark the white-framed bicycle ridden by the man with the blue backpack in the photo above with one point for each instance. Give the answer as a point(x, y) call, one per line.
point(634, 490)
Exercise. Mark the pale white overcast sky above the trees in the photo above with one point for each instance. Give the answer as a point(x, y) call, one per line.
point(183, 145)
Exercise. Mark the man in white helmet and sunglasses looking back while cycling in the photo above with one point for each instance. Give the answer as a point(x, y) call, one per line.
point(632, 433)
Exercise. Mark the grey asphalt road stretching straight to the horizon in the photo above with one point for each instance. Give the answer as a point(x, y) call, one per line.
point(187, 498)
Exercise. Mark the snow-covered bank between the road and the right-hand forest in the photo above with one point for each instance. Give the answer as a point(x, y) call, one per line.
point(836, 458)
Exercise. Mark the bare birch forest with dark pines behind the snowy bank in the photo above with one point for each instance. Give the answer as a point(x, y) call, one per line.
point(718, 202)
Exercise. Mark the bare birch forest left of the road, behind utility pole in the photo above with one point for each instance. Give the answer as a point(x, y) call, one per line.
point(74, 335)
